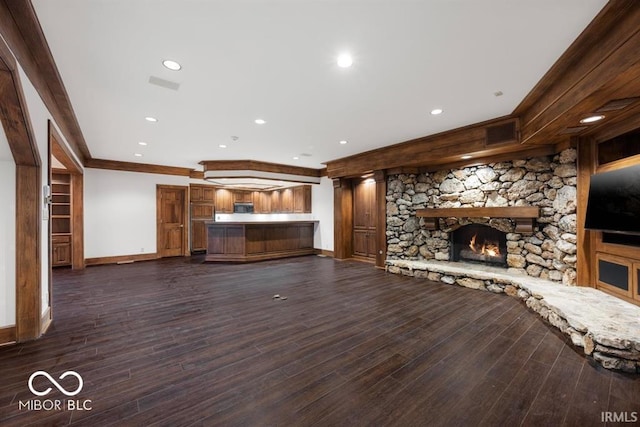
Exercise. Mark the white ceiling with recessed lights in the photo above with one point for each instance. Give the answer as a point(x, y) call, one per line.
point(276, 60)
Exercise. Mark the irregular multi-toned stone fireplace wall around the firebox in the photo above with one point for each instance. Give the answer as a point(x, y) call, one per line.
point(545, 249)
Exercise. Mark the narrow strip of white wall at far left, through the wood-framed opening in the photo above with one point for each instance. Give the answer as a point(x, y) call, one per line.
point(7, 234)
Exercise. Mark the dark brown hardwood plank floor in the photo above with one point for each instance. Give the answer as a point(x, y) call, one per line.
point(176, 342)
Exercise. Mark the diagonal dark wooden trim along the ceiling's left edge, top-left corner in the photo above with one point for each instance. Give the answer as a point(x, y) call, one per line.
point(21, 29)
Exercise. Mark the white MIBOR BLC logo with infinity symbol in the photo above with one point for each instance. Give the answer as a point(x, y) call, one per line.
point(56, 404)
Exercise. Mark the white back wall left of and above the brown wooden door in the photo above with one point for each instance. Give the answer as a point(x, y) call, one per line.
point(120, 211)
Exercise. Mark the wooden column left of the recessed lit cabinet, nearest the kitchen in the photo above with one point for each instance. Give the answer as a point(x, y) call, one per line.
point(342, 218)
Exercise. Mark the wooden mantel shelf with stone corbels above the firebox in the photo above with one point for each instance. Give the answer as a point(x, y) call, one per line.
point(524, 216)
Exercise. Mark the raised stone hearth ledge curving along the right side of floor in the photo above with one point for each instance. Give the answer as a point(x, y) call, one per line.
point(607, 328)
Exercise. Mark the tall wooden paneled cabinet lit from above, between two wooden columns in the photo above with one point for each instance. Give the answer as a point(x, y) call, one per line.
point(364, 219)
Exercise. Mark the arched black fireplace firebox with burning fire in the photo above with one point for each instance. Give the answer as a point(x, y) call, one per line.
point(479, 243)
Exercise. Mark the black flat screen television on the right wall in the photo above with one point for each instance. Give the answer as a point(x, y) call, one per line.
point(614, 201)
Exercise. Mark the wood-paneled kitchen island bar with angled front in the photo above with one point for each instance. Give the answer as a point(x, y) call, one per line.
point(257, 241)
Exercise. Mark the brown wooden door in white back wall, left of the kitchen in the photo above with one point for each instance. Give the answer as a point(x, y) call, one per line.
point(171, 209)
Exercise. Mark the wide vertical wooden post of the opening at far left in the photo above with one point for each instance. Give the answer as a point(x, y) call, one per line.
point(28, 260)
